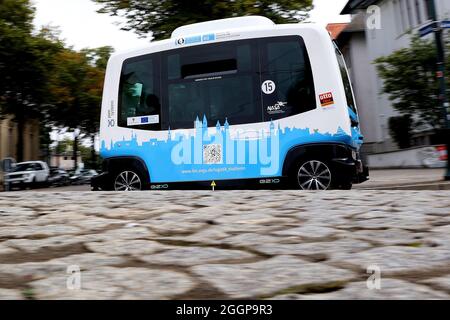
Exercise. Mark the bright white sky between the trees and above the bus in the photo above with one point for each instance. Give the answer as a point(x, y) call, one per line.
point(82, 27)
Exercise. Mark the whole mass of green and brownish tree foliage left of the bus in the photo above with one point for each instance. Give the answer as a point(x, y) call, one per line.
point(43, 79)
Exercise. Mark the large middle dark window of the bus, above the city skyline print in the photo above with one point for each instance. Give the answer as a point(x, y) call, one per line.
point(218, 81)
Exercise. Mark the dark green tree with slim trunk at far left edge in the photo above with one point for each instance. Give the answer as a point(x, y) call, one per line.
point(26, 63)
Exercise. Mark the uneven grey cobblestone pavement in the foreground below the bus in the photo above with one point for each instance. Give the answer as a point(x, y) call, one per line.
point(221, 245)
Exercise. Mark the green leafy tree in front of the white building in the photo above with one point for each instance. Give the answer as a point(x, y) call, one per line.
point(409, 77)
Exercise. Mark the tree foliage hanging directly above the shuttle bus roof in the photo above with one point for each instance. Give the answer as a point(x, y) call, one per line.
point(162, 17)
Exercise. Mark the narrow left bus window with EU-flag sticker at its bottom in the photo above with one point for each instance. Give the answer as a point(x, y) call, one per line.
point(139, 101)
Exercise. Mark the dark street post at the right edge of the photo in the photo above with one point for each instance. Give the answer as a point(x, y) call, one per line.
point(441, 78)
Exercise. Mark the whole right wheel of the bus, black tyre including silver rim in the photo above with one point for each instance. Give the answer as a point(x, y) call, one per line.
point(312, 174)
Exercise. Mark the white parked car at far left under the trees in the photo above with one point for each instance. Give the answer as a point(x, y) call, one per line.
point(28, 174)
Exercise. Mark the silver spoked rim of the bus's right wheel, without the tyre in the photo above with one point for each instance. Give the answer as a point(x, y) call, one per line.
point(314, 175)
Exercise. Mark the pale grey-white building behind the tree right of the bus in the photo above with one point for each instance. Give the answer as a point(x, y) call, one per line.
point(400, 19)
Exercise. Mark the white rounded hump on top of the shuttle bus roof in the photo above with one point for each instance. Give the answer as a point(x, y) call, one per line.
point(221, 25)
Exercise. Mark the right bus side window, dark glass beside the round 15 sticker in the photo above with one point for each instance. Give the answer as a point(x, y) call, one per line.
point(285, 62)
